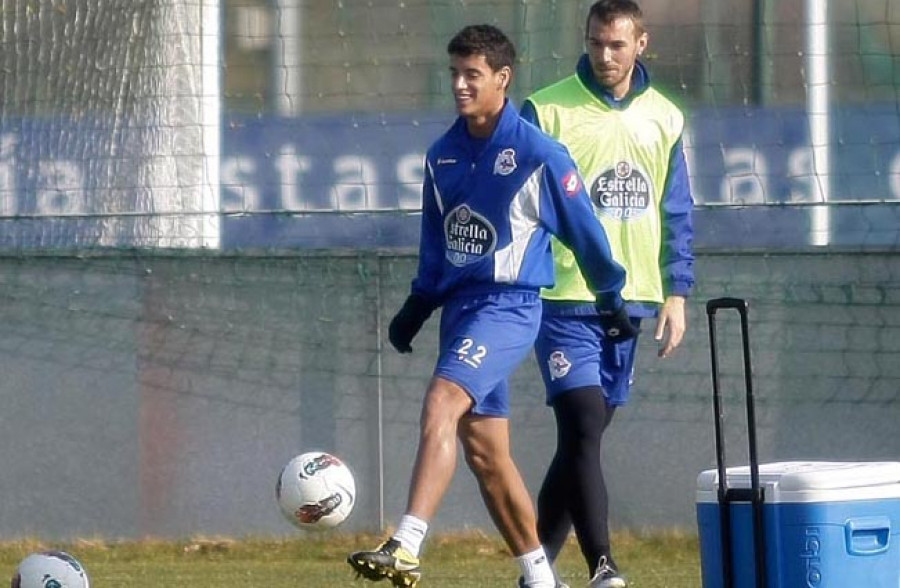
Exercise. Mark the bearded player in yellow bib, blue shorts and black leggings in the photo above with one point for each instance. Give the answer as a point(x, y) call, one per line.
point(626, 139)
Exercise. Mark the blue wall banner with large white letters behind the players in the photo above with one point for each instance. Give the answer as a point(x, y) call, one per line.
point(284, 178)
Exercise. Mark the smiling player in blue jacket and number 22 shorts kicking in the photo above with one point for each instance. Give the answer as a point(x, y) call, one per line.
point(496, 188)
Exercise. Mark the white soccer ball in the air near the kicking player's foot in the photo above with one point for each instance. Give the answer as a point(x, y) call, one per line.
point(316, 490)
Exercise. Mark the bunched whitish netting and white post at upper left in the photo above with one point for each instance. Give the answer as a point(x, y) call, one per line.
point(110, 132)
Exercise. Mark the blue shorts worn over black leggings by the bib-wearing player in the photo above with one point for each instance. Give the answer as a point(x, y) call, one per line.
point(571, 354)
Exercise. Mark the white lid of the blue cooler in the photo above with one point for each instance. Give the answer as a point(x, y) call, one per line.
point(810, 481)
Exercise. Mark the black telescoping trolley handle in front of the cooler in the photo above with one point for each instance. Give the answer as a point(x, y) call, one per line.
point(727, 495)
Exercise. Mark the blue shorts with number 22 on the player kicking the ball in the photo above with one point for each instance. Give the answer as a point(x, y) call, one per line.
point(483, 340)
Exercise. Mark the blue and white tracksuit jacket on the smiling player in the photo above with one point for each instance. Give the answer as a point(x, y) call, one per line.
point(489, 208)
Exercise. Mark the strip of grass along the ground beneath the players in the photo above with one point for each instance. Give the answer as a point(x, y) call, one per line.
point(661, 560)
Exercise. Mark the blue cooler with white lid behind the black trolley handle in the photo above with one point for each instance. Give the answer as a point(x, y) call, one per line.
point(826, 525)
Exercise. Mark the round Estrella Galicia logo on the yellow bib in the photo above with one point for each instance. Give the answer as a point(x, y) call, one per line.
point(622, 193)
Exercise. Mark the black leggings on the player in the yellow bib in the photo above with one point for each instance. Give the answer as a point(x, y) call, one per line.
point(573, 491)
